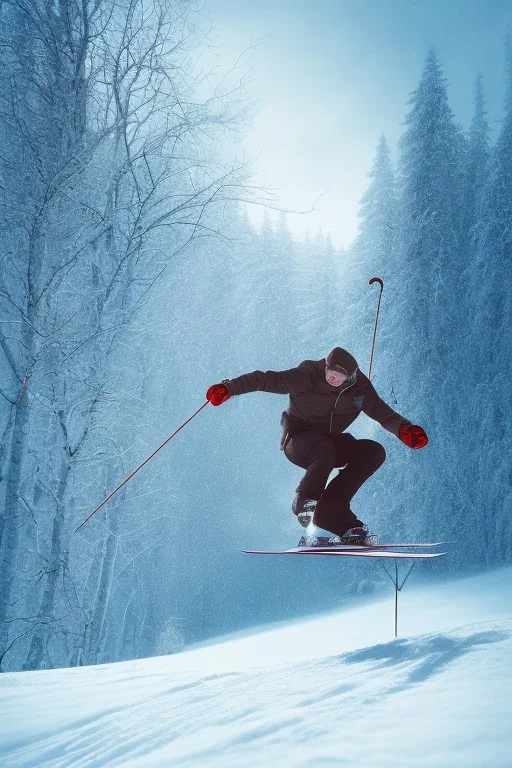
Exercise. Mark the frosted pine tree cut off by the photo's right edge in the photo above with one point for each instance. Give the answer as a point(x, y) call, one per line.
point(490, 299)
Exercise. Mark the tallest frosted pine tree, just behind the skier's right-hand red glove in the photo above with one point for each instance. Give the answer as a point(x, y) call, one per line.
point(428, 323)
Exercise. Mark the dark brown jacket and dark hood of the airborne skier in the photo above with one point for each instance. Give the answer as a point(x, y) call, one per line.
point(316, 404)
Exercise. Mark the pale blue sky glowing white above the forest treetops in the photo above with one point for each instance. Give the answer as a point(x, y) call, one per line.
point(332, 75)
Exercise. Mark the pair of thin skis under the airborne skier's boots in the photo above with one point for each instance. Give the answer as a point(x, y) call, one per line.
point(386, 551)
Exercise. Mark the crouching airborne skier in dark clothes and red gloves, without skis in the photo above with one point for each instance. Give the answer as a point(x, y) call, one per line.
point(326, 396)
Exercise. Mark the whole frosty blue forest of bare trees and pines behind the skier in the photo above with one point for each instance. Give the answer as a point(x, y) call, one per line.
point(131, 279)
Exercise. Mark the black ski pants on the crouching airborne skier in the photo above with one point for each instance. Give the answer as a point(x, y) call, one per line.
point(319, 453)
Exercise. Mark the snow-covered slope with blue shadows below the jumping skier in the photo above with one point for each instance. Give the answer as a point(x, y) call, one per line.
point(335, 690)
